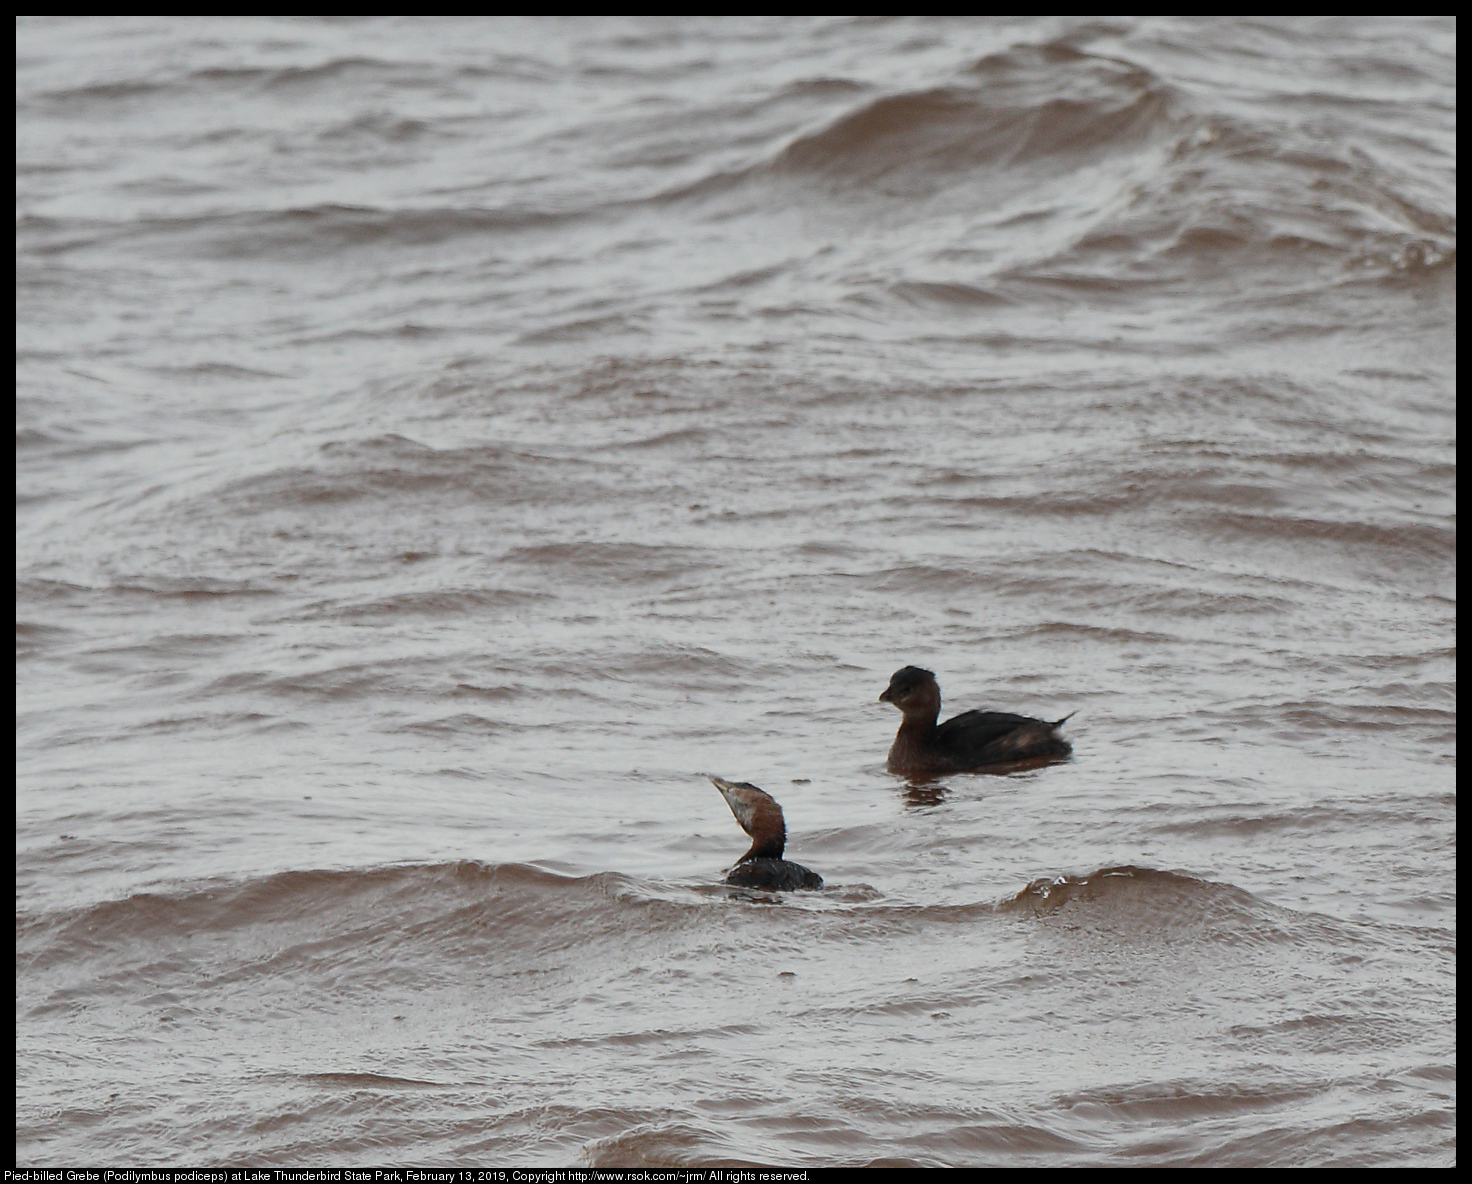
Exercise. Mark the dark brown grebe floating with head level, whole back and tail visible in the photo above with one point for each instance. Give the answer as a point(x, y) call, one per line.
point(974, 740)
